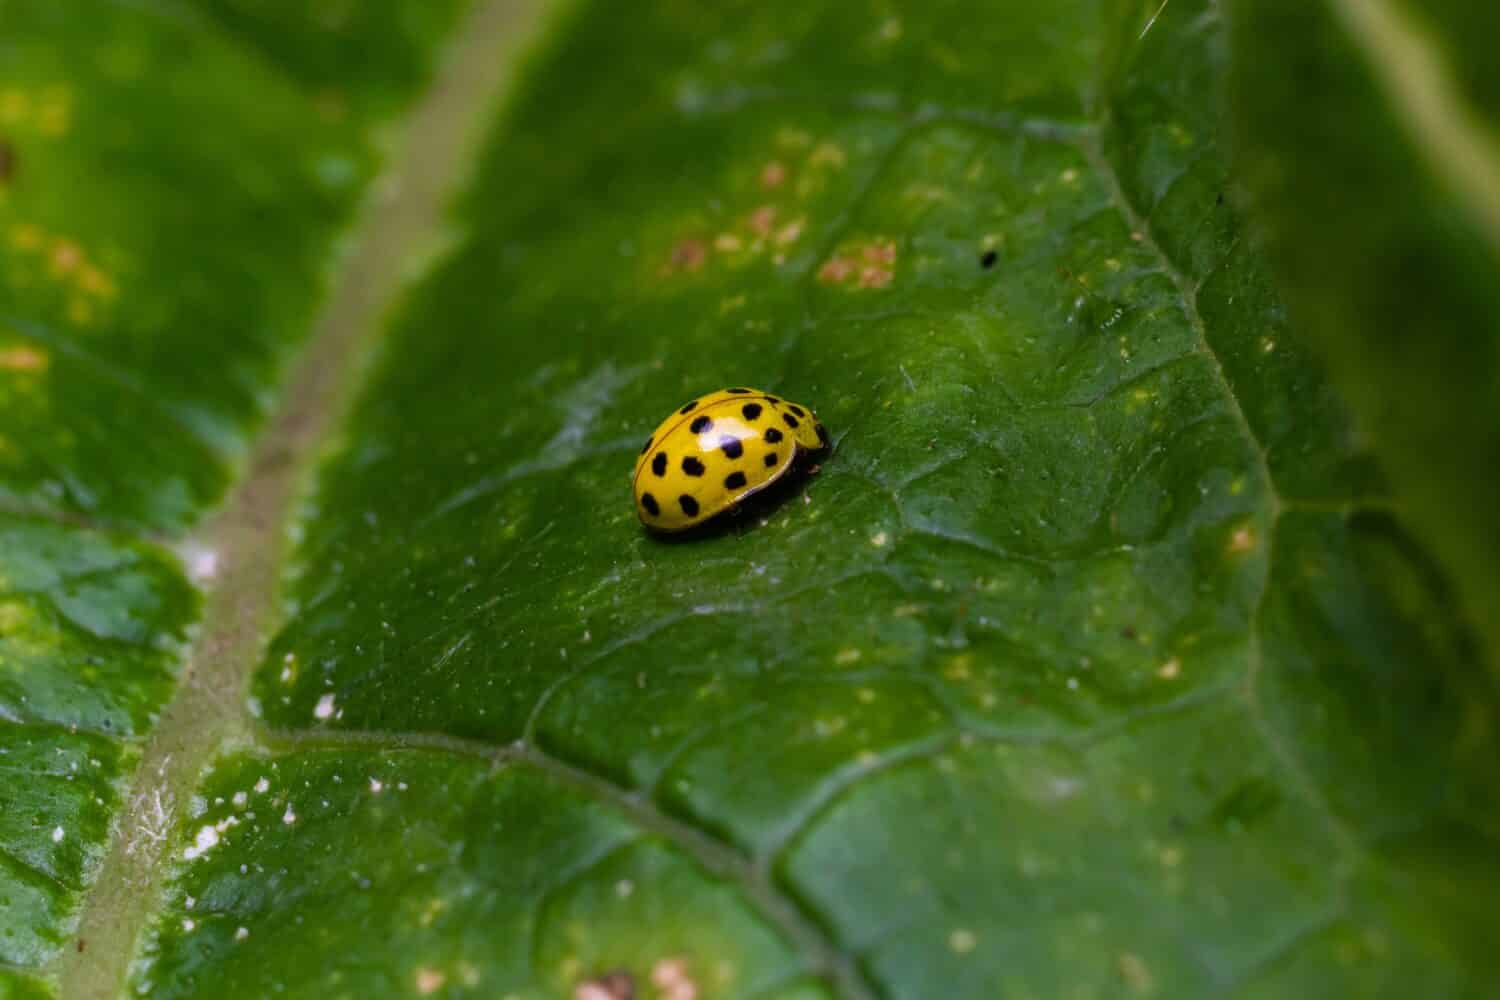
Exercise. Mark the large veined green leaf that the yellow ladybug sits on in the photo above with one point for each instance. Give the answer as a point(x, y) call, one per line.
point(1097, 657)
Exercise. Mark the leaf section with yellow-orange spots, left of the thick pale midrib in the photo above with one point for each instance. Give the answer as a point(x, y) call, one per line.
point(169, 202)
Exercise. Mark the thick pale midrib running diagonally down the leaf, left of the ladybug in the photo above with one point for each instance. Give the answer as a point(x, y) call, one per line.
point(209, 710)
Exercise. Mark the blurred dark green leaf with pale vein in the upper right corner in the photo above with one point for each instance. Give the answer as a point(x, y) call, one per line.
point(1370, 137)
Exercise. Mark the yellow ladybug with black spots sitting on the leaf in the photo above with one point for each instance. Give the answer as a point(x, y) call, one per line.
point(716, 452)
